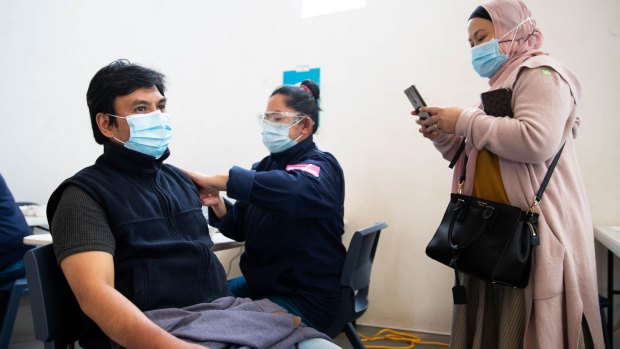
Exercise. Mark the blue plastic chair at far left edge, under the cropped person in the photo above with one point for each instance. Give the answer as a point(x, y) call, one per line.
point(13, 290)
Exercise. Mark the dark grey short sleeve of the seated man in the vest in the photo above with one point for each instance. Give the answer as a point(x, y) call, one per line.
point(80, 225)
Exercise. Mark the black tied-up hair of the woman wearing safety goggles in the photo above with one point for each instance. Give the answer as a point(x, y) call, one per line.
point(303, 99)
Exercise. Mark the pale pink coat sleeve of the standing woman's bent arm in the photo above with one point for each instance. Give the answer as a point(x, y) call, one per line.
point(542, 106)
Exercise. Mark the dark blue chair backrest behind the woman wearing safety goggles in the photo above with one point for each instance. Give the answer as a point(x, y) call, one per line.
point(355, 277)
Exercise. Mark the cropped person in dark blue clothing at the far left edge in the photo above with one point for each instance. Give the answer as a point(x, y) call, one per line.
point(13, 228)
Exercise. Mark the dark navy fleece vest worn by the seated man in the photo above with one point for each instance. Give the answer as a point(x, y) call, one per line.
point(163, 252)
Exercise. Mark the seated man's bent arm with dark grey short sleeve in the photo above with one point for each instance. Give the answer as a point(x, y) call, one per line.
point(84, 245)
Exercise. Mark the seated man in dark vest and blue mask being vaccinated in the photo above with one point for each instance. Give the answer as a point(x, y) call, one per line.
point(129, 232)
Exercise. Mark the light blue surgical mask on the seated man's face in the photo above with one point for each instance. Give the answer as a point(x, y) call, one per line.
point(149, 133)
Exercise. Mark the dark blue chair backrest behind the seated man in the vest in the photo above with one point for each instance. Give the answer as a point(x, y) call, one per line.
point(56, 314)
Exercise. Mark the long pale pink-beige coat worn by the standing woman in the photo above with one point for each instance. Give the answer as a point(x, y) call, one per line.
point(563, 284)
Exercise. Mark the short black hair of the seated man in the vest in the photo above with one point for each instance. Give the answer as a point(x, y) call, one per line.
point(118, 78)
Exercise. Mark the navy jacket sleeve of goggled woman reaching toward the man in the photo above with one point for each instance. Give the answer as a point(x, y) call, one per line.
point(298, 194)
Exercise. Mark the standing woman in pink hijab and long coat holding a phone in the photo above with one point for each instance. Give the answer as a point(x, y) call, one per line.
point(507, 160)
